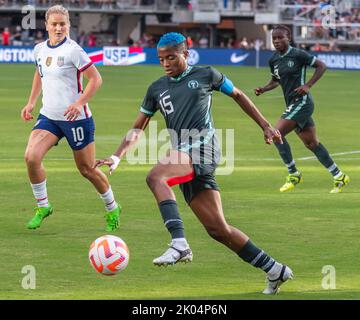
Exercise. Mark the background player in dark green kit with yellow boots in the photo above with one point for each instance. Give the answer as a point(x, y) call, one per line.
point(288, 69)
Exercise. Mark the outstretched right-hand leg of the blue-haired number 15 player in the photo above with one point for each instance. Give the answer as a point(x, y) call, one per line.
point(208, 209)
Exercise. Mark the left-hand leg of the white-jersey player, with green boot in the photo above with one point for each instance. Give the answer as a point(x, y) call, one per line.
point(40, 142)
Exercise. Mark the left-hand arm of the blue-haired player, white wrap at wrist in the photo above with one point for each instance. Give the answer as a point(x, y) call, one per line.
point(127, 142)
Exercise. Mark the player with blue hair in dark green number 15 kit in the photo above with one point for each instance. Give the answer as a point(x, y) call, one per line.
point(183, 97)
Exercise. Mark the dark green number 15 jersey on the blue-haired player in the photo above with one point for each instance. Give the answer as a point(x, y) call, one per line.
point(185, 103)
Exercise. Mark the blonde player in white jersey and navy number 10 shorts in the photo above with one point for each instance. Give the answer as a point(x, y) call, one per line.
point(65, 113)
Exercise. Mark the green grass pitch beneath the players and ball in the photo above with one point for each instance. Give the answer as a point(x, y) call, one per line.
point(306, 229)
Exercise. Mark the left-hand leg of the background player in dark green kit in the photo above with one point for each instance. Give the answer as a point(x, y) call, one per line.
point(286, 126)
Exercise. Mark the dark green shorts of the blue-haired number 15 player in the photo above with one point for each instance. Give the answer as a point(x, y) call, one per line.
point(204, 179)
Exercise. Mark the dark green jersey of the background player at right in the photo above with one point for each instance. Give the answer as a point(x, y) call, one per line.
point(290, 70)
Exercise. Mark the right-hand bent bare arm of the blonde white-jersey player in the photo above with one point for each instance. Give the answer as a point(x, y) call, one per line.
point(94, 83)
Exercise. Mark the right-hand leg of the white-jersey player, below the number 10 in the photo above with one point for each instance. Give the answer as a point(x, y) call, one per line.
point(85, 161)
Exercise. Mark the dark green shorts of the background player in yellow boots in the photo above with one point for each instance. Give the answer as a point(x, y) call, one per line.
point(300, 111)
